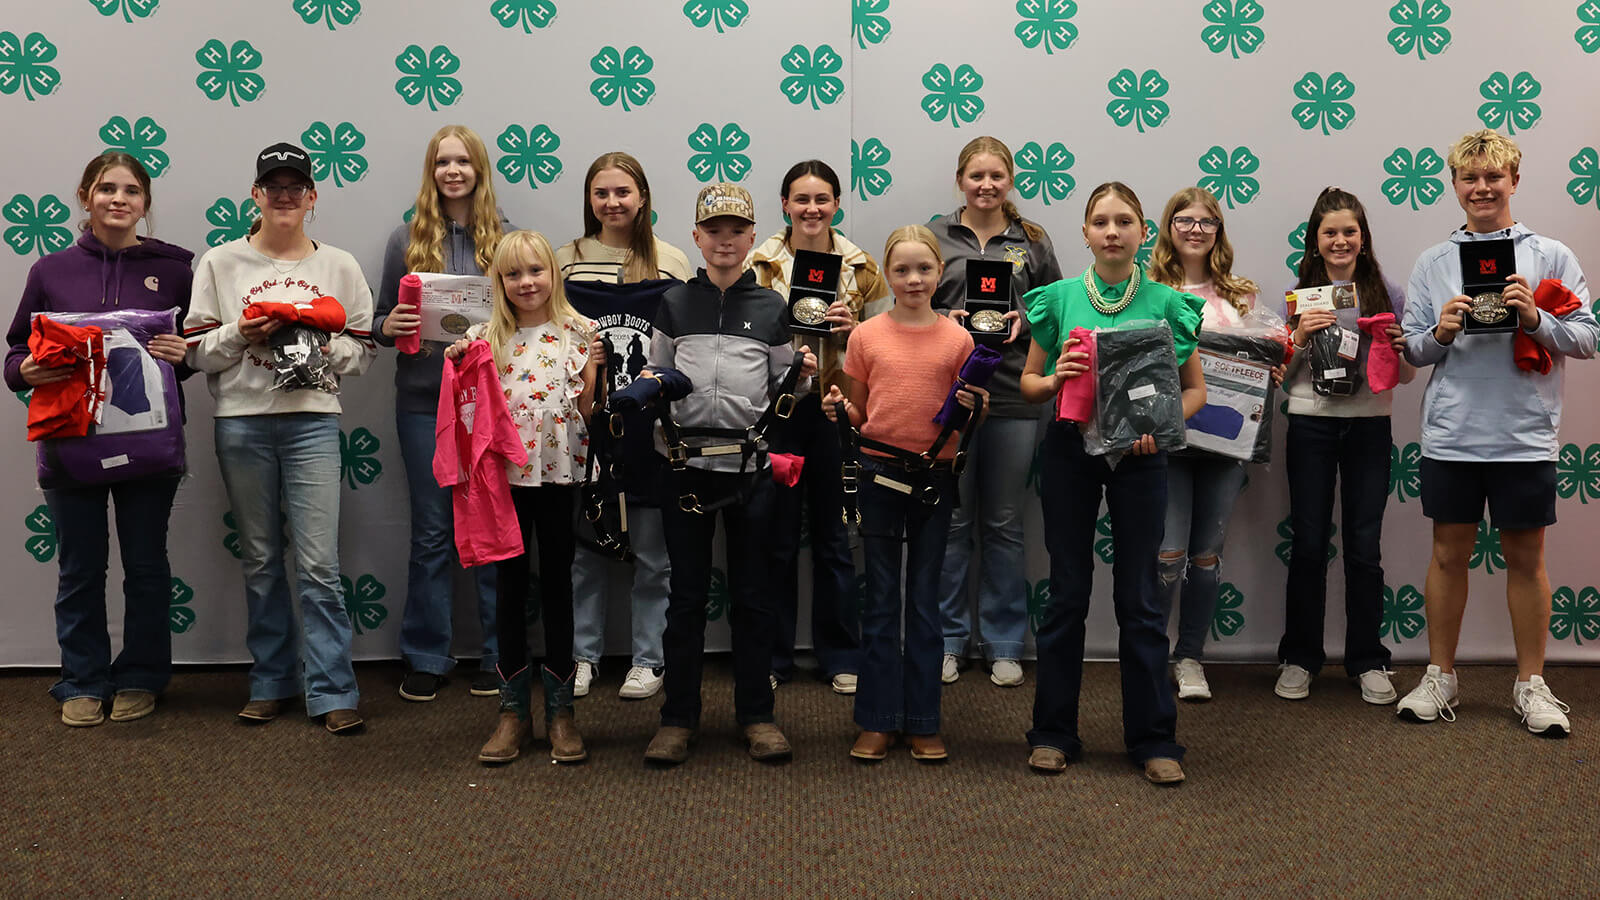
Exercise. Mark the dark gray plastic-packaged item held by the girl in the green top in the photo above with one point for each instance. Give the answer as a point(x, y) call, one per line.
point(1137, 390)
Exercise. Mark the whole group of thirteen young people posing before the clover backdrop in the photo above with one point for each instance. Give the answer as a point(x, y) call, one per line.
point(724, 390)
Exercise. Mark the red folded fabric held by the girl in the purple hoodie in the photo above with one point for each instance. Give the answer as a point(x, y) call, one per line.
point(66, 409)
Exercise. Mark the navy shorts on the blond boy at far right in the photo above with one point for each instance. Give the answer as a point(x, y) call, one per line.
point(1521, 496)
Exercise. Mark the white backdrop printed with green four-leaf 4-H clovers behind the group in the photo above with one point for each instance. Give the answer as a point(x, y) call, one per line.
point(1265, 102)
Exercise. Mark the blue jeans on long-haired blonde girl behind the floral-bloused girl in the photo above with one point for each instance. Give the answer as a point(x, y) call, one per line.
point(430, 585)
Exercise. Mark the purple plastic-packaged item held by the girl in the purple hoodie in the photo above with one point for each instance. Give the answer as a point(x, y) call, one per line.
point(142, 430)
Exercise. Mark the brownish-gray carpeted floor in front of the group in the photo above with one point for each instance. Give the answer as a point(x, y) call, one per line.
point(1321, 798)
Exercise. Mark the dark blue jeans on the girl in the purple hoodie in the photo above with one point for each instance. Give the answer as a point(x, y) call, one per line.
point(146, 659)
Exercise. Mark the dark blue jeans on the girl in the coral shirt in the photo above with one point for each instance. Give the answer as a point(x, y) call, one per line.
point(900, 691)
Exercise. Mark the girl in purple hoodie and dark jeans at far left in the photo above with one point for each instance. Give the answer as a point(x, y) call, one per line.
point(110, 268)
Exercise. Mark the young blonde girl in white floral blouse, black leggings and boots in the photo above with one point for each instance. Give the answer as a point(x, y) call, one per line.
point(546, 361)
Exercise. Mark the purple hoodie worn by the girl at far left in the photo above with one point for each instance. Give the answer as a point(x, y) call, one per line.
point(90, 278)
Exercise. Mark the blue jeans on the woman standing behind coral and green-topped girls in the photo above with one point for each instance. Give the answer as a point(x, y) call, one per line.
point(994, 491)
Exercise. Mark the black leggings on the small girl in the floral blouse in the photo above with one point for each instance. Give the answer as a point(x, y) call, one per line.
point(548, 512)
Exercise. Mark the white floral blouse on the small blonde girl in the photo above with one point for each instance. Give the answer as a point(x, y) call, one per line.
point(542, 388)
